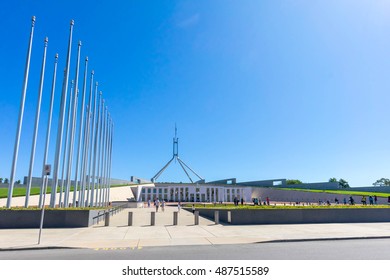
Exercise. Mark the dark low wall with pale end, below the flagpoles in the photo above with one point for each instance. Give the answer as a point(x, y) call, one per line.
point(52, 219)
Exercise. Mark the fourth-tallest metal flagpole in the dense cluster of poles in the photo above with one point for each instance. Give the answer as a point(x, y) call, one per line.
point(86, 143)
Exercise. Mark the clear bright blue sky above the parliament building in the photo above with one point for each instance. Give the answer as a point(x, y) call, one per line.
point(258, 89)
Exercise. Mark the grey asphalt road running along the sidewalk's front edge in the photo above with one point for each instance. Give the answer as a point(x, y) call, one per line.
point(356, 249)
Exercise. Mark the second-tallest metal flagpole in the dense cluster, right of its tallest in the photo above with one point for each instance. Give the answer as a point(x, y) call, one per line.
point(73, 129)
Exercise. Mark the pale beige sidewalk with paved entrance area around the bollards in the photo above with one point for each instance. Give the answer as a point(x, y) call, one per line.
point(141, 234)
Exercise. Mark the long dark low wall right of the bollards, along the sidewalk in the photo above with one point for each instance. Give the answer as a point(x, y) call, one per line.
point(300, 216)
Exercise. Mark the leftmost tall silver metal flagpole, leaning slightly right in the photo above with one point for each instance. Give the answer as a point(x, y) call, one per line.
point(20, 120)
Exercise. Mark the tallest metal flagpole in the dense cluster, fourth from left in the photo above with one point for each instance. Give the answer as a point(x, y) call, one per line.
point(61, 122)
